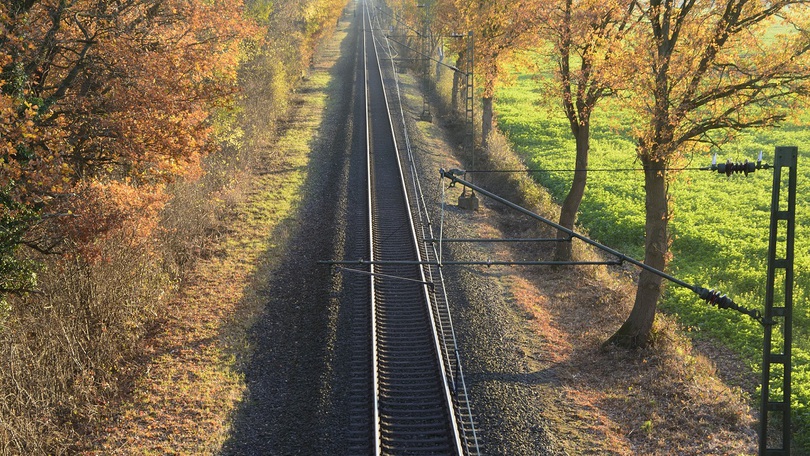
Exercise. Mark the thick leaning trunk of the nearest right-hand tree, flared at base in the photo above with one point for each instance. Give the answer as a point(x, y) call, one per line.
point(635, 332)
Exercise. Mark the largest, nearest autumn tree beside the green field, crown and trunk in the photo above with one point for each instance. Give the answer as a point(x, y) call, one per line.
point(704, 68)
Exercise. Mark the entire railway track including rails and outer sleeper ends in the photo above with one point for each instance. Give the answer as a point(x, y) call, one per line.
point(408, 395)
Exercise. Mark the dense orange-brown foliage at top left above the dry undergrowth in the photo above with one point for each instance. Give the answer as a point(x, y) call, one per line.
point(103, 103)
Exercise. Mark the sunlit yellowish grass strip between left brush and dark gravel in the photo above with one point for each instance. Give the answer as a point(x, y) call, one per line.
point(192, 384)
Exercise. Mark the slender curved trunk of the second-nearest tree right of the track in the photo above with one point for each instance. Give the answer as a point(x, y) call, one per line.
point(570, 207)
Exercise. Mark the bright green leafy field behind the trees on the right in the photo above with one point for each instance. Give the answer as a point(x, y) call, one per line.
point(719, 227)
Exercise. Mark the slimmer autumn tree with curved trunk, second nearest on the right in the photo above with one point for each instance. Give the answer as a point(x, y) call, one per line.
point(587, 39)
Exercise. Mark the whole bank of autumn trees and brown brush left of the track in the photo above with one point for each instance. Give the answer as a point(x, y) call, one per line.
point(107, 110)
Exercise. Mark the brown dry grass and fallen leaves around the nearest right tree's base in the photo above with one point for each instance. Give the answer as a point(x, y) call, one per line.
point(664, 400)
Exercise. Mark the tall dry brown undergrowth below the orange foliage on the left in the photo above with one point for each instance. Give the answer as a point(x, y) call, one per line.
point(71, 351)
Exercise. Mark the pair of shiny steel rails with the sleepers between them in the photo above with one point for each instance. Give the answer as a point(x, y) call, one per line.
point(406, 420)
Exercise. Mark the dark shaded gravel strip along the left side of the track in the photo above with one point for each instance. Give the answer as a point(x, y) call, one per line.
point(288, 405)
